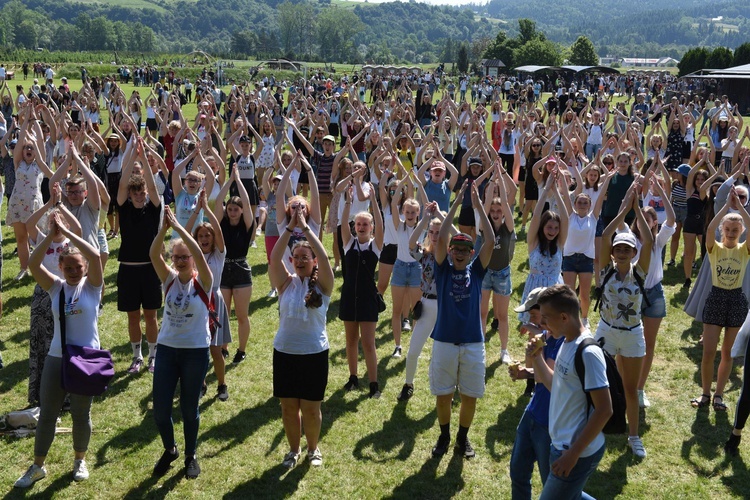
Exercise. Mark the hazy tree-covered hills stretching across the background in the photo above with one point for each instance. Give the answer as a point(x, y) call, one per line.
point(341, 31)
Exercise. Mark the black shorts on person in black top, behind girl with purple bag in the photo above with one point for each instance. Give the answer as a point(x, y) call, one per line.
point(138, 286)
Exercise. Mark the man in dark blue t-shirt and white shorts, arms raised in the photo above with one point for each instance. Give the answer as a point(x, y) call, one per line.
point(458, 358)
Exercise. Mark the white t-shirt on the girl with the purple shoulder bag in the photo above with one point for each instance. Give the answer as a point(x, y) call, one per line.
point(81, 307)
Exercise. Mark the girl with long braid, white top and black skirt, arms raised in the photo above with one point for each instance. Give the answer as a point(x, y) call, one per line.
point(300, 347)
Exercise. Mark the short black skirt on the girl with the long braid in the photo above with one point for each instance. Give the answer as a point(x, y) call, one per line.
point(300, 376)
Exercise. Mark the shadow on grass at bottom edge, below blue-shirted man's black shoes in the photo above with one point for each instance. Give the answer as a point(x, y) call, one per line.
point(426, 484)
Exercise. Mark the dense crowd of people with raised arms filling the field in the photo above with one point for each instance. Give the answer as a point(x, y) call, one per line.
point(422, 192)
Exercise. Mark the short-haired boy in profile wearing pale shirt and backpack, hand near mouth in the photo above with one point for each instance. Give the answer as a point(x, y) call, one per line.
point(576, 433)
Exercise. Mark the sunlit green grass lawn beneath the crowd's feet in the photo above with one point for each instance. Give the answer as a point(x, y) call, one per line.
point(372, 448)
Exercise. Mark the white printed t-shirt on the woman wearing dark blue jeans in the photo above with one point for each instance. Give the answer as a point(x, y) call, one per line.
point(185, 321)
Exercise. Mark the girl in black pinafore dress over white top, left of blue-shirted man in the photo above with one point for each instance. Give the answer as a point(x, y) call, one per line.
point(358, 308)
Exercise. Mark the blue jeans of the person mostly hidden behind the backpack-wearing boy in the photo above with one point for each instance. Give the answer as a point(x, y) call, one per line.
point(532, 445)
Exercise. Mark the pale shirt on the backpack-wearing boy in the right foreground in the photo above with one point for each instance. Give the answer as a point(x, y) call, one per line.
point(568, 405)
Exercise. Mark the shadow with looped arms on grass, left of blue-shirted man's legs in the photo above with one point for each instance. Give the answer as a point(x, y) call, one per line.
point(392, 442)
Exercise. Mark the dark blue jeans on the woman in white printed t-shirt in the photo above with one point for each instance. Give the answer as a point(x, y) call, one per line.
point(189, 367)
